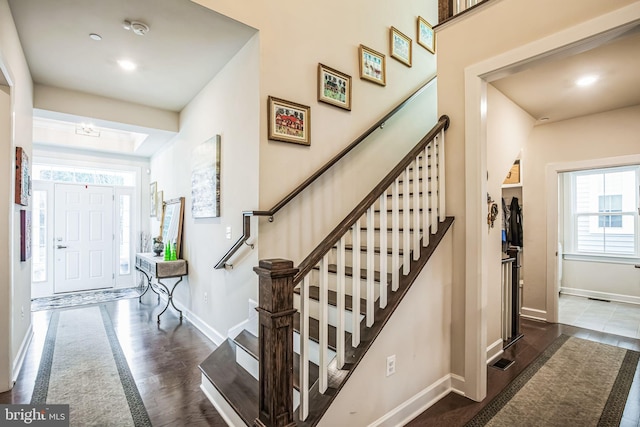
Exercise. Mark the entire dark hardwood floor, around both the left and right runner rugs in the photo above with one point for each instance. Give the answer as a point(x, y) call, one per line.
point(164, 362)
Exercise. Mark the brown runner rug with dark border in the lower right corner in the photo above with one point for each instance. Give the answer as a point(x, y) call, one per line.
point(575, 382)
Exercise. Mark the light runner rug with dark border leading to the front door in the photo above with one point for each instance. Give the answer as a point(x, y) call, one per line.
point(83, 366)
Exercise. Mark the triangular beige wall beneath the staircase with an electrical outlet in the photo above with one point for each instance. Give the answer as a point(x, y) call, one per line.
point(422, 355)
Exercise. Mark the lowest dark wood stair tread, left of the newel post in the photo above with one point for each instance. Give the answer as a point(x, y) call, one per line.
point(232, 381)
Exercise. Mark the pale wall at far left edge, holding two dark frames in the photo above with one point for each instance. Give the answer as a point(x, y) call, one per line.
point(15, 276)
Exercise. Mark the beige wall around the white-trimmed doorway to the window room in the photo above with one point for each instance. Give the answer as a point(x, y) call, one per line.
point(605, 135)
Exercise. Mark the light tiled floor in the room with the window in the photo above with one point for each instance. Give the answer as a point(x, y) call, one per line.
point(610, 317)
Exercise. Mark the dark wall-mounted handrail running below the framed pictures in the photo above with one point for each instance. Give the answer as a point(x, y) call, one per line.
point(246, 224)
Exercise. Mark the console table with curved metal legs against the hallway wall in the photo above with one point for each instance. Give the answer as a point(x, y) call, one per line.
point(155, 266)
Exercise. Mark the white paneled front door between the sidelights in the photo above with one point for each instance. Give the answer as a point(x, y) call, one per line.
point(84, 239)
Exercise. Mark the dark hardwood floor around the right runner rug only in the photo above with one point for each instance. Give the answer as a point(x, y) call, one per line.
point(455, 410)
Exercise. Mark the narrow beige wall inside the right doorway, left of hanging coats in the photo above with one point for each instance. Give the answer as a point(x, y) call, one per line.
point(508, 128)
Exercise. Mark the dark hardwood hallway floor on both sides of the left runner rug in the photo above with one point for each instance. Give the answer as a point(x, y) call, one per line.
point(163, 360)
